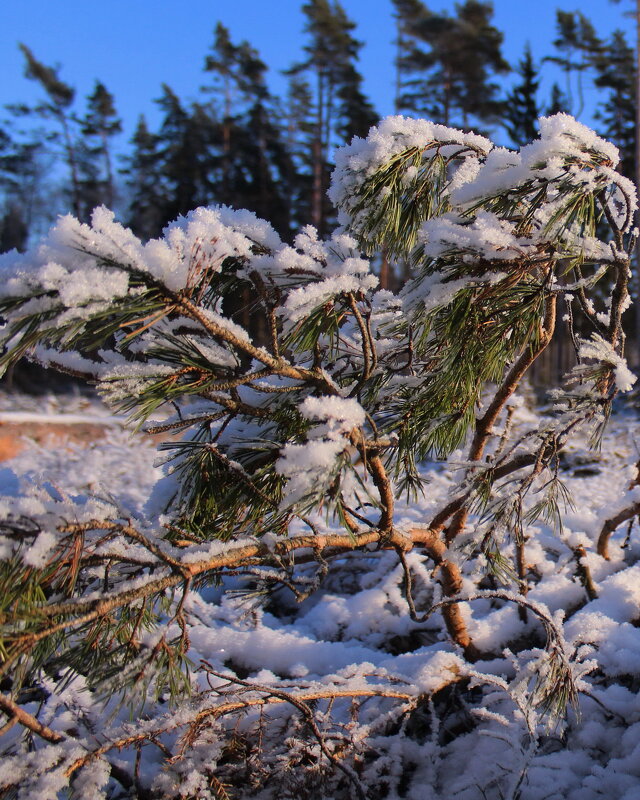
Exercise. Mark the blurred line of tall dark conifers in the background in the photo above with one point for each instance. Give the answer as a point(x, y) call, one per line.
point(240, 144)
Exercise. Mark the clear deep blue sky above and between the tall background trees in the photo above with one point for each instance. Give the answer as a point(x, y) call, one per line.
point(135, 45)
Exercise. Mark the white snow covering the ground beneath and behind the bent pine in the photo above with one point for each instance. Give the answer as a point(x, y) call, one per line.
point(355, 632)
